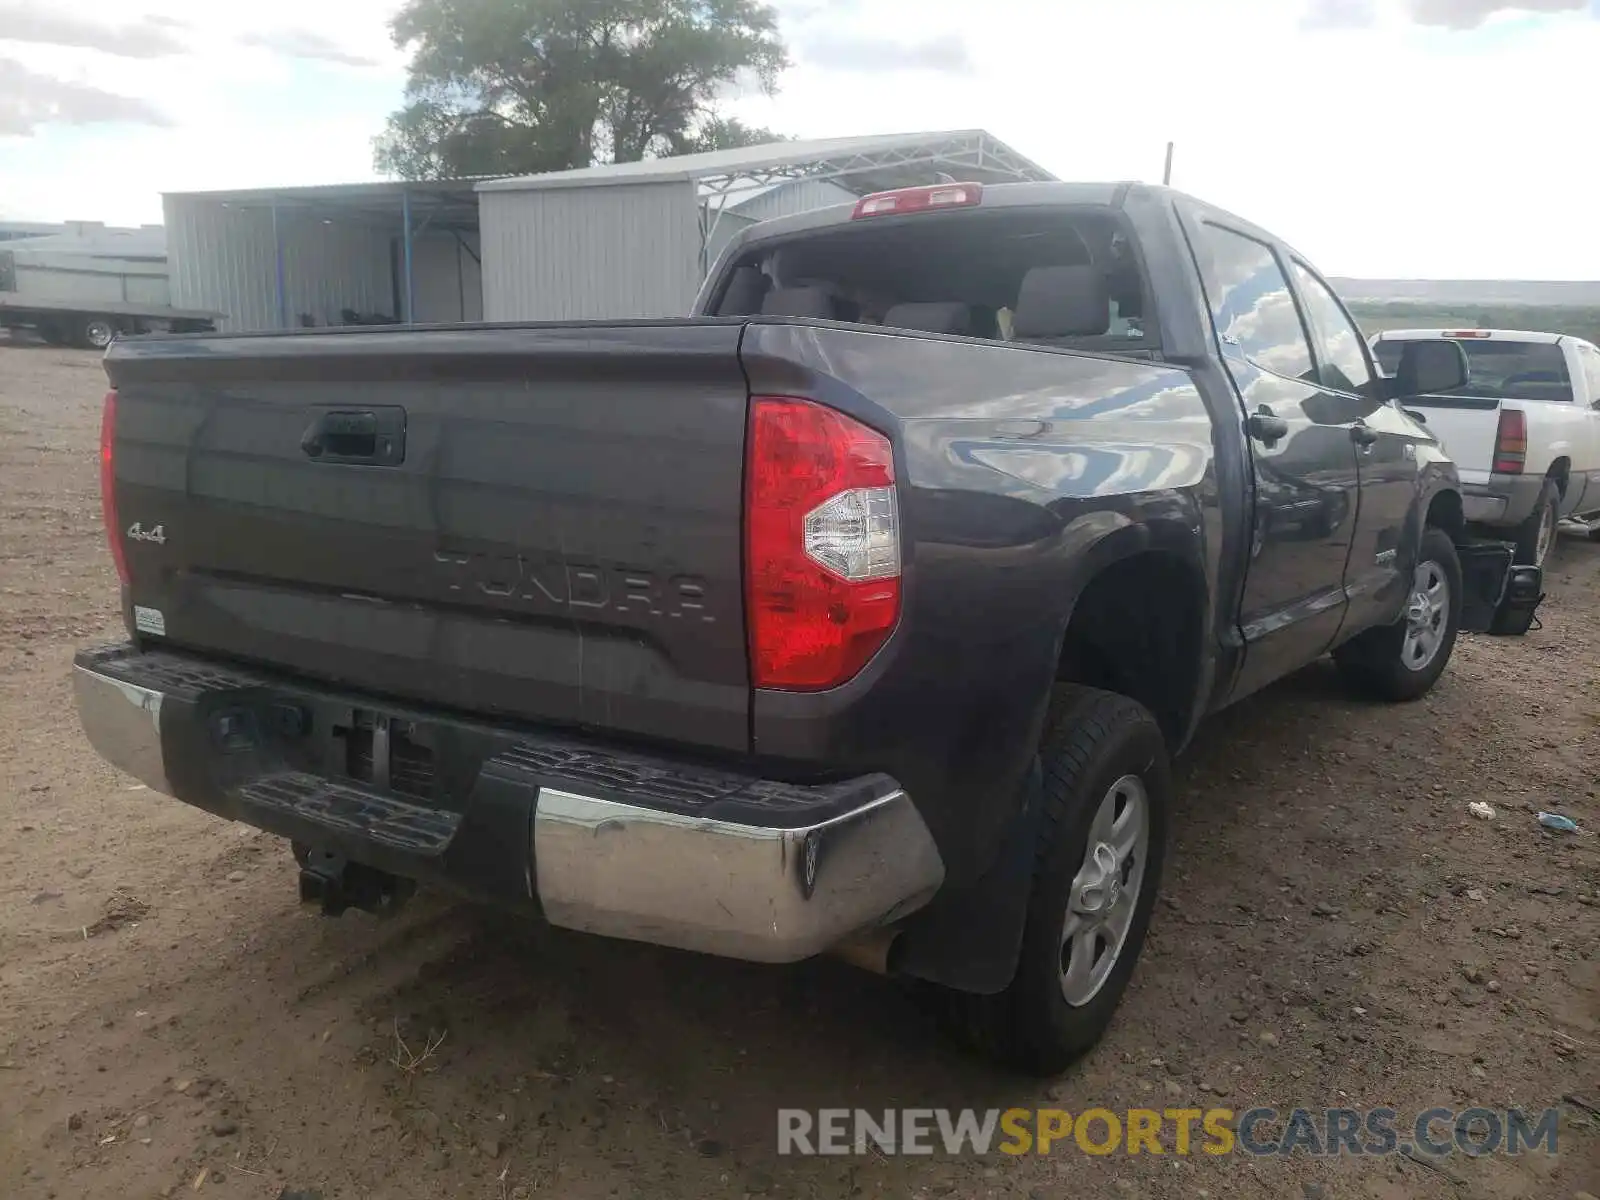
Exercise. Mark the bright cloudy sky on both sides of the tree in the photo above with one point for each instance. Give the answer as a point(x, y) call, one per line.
point(1386, 138)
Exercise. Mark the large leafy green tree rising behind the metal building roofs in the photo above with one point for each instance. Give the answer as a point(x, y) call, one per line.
point(518, 87)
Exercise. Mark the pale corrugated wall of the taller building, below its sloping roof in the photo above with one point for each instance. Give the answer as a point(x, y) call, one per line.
point(591, 254)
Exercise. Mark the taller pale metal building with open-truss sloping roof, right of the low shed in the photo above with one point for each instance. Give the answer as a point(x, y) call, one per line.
point(636, 239)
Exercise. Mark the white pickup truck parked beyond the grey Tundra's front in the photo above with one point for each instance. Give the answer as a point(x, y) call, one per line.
point(1524, 431)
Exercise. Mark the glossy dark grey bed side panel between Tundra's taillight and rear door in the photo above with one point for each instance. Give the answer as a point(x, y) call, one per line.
point(1022, 473)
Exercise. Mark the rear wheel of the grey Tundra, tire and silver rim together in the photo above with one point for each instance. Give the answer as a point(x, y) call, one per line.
point(1097, 870)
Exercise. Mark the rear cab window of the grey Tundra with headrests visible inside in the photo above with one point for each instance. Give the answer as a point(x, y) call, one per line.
point(1062, 276)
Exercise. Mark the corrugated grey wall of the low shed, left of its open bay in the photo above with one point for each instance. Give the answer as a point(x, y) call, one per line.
point(222, 258)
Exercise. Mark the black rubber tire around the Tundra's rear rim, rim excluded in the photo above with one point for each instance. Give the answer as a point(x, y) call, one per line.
point(1092, 742)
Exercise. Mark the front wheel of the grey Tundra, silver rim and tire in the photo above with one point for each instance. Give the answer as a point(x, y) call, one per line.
point(1406, 660)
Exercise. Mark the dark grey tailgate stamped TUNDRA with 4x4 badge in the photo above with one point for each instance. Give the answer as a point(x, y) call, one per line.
point(534, 522)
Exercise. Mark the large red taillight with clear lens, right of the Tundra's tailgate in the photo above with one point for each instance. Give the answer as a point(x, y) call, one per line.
point(823, 556)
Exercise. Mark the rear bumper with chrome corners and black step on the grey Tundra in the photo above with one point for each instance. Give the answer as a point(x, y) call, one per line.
point(610, 865)
